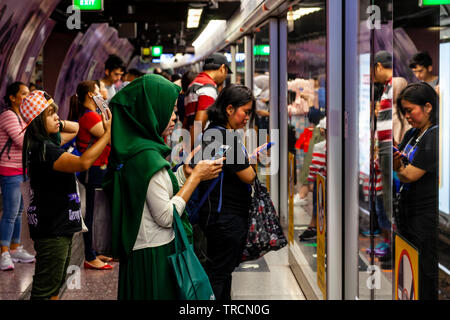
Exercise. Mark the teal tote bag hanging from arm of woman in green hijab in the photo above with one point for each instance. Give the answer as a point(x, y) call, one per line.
point(190, 277)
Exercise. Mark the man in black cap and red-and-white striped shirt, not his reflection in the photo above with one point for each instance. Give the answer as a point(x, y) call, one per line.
point(202, 92)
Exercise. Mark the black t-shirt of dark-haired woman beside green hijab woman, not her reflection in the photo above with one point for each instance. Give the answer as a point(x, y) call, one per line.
point(236, 195)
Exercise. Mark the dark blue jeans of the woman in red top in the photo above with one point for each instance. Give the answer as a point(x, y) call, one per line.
point(94, 180)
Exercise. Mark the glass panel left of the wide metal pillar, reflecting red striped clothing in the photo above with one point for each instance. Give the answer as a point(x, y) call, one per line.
point(306, 141)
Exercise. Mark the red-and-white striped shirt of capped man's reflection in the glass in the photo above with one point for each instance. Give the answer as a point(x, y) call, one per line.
point(384, 120)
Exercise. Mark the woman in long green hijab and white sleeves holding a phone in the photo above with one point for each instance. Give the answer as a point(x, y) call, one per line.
point(144, 190)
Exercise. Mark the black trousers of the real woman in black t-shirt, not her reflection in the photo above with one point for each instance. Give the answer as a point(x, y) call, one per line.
point(226, 235)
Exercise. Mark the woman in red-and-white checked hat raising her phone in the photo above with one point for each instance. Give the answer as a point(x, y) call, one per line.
point(54, 212)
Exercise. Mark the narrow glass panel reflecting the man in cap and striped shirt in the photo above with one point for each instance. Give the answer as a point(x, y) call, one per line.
point(375, 150)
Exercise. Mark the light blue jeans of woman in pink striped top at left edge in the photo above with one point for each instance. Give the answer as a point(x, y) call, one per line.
point(11, 222)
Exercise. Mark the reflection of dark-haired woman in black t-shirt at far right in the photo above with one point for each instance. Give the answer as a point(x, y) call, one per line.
point(416, 165)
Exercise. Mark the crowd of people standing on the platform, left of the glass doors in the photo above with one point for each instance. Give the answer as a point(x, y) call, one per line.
point(122, 150)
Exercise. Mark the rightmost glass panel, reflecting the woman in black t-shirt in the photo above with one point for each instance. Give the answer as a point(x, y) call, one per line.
point(421, 55)
